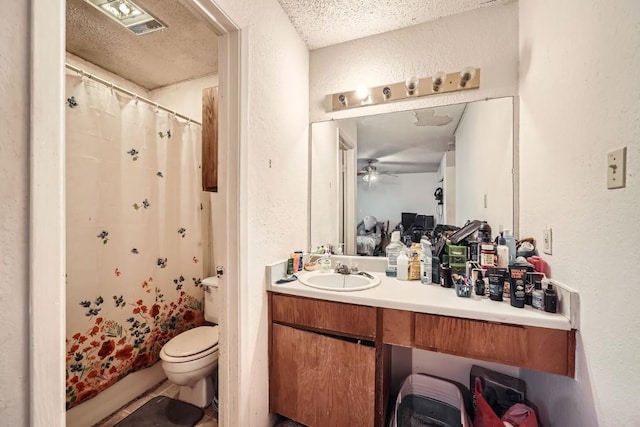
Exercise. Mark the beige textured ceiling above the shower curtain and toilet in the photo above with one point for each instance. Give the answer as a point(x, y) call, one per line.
point(186, 49)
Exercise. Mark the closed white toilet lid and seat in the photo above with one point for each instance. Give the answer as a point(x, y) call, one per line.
point(191, 345)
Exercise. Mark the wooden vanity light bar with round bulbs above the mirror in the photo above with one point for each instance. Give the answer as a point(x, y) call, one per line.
point(467, 79)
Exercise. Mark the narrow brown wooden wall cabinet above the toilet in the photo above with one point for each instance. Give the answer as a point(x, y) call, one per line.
point(210, 139)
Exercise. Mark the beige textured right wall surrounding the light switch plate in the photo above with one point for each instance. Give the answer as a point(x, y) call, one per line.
point(569, 120)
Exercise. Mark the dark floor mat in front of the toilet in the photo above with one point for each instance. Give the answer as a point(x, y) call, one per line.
point(162, 411)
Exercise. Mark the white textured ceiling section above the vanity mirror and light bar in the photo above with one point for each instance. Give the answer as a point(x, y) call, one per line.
point(323, 23)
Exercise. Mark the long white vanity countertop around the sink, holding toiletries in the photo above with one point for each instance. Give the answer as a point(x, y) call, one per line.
point(422, 298)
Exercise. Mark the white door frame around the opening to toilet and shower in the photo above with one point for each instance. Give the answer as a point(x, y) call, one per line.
point(47, 209)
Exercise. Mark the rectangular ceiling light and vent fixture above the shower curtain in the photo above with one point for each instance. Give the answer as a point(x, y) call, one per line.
point(129, 15)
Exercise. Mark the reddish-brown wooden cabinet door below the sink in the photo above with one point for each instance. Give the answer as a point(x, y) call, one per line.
point(321, 381)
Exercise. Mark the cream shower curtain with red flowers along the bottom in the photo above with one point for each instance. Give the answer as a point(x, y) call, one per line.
point(134, 234)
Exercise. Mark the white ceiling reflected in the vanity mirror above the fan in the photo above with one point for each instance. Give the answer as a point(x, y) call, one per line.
point(398, 145)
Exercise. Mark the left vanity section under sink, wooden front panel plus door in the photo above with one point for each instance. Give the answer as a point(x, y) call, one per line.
point(322, 365)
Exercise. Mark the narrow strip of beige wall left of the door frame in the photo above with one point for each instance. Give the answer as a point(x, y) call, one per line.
point(14, 213)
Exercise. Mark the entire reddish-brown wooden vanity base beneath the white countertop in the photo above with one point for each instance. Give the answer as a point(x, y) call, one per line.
point(330, 362)
